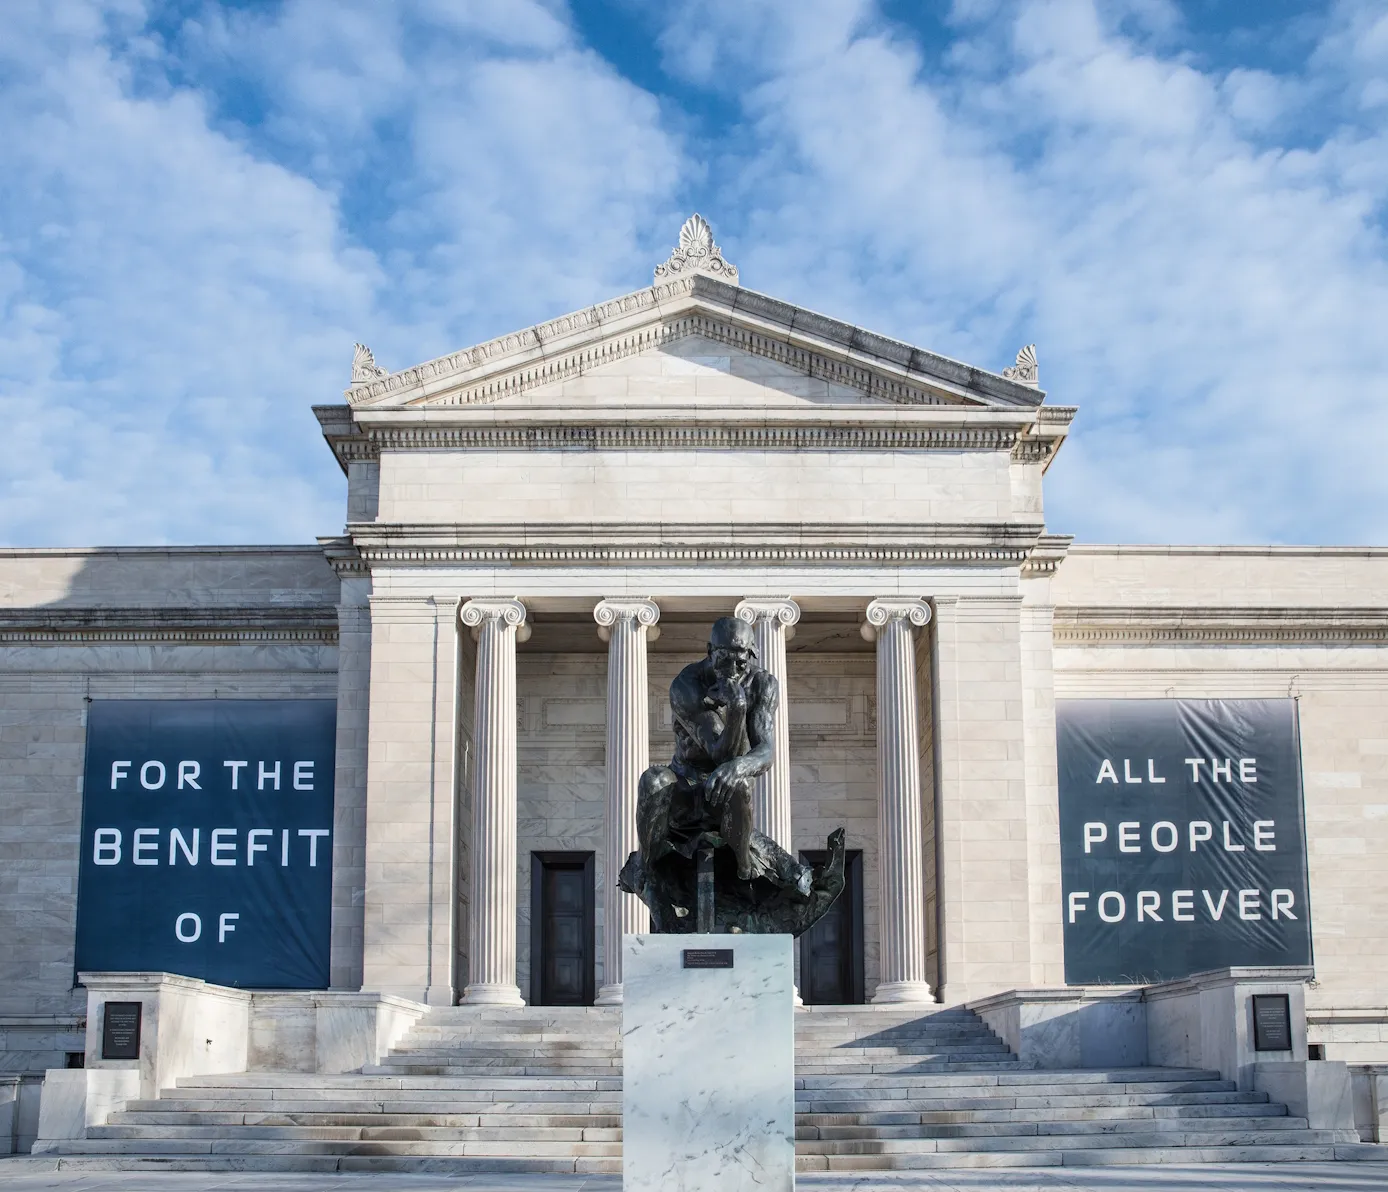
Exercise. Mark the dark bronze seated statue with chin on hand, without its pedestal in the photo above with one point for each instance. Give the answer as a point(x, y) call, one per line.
point(702, 865)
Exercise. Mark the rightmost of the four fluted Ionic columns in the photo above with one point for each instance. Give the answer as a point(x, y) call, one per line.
point(900, 861)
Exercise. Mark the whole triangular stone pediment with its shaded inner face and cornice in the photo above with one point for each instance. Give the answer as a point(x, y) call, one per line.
point(695, 341)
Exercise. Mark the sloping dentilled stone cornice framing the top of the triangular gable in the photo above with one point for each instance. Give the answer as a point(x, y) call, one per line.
point(882, 368)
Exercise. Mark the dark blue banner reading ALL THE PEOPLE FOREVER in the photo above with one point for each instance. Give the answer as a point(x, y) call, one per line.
point(1182, 837)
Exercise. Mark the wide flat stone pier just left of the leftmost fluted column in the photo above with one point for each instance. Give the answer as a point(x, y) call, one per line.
point(409, 933)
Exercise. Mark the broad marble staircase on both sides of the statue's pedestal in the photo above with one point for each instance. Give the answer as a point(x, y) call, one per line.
point(541, 1090)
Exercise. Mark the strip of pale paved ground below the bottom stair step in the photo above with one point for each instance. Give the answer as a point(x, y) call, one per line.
point(31, 1176)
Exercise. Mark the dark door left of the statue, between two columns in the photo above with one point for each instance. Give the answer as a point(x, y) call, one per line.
point(561, 929)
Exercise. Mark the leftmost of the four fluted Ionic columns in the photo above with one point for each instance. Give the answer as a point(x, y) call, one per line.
point(492, 953)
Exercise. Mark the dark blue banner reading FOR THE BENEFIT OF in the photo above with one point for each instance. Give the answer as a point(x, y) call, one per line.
point(208, 840)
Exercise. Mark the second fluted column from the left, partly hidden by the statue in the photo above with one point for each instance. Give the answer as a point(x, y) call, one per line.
point(627, 625)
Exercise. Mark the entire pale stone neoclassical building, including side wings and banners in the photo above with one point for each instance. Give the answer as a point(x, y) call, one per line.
point(405, 760)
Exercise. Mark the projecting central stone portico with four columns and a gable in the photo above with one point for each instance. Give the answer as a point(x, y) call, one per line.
point(546, 525)
